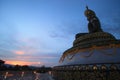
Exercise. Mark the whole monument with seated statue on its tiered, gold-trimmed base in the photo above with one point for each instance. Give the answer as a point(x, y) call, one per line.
point(94, 55)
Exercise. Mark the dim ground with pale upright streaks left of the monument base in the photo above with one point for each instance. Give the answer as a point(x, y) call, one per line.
point(24, 76)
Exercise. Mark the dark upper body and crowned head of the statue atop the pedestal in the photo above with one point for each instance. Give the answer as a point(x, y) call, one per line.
point(94, 23)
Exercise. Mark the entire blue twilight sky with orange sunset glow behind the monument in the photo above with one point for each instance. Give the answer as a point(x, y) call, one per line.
point(37, 32)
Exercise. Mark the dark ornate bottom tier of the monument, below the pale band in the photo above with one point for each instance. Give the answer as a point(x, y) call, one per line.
point(87, 72)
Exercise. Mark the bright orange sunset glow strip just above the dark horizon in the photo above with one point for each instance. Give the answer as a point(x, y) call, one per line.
point(22, 63)
